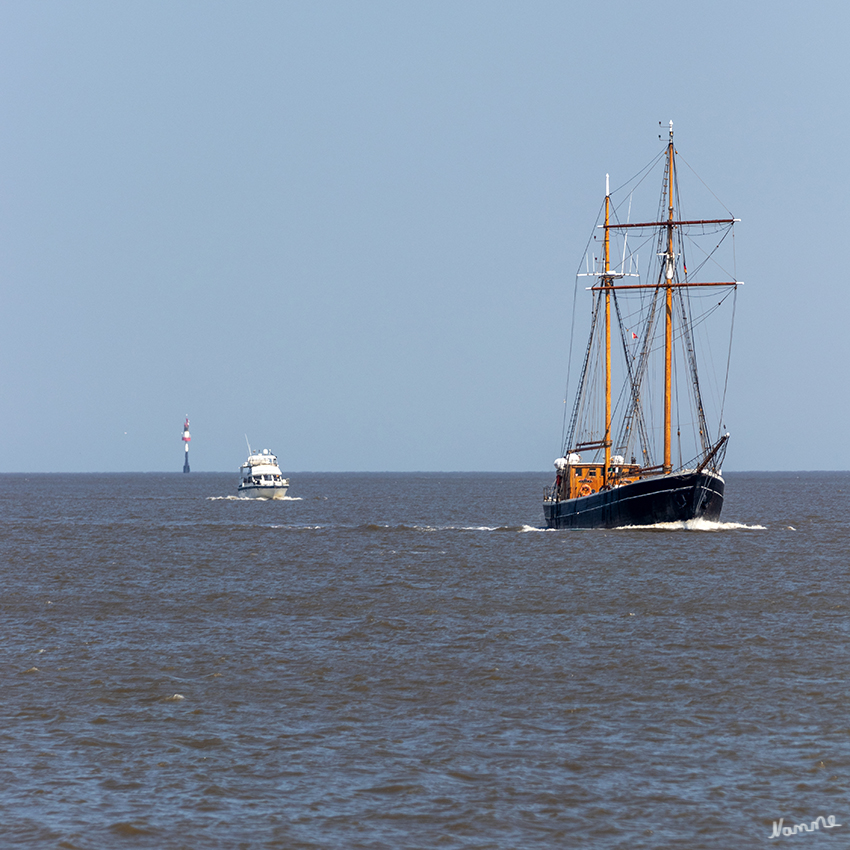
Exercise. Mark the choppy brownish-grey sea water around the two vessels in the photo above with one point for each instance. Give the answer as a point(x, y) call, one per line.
point(409, 661)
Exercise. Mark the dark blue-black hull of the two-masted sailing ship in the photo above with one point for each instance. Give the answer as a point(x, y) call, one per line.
point(666, 498)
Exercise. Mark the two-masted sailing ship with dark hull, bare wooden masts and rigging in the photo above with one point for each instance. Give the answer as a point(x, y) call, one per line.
point(622, 463)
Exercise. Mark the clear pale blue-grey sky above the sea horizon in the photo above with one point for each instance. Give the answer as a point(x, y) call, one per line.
point(350, 230)
